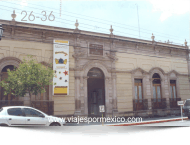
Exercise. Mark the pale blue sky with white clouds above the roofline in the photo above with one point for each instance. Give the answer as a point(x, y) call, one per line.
point(166, 19)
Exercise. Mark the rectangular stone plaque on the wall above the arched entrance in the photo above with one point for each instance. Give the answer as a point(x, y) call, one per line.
point(96, 49)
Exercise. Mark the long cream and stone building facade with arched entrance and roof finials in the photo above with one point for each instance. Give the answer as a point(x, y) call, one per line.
point(131, 77)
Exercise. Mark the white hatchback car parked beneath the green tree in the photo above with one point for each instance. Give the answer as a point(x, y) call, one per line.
point(27, 116)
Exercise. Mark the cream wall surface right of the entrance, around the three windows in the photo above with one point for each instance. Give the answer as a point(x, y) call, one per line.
point(127, 62)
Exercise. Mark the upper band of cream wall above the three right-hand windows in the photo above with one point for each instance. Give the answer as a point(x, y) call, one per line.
point(128, 62)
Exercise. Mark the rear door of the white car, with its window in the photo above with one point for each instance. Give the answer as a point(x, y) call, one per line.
point(15, 117)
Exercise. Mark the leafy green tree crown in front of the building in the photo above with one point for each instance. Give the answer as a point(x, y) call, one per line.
point(30, 77)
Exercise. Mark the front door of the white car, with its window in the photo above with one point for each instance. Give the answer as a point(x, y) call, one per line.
point(33, 117)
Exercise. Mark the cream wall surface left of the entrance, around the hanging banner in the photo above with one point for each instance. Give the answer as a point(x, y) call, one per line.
point(44, 52)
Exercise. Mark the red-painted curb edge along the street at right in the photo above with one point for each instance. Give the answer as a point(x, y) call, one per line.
point(149, 122)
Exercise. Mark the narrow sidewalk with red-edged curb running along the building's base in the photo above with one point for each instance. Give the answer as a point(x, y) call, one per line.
point(144, 121)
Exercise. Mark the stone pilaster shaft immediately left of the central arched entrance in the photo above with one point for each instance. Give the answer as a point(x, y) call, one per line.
point(77, 96)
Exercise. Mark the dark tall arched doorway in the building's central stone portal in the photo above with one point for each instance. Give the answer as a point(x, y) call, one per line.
point(96, 92)
